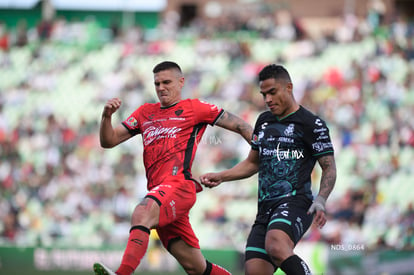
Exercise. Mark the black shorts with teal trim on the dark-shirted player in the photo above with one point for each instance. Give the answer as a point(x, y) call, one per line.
point(289, 215)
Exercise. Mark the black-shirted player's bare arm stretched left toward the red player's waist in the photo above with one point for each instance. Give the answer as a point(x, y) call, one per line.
point(244, 169)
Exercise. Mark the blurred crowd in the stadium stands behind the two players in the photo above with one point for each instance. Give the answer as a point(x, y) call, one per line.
point(59, 187)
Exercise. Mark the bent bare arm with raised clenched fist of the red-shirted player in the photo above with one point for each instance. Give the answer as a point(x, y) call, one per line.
point(109, 136)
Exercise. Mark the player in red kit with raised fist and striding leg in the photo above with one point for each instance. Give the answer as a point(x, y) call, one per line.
point(171, 131)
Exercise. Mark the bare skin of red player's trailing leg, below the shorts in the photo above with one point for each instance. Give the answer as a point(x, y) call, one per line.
point(190, 258)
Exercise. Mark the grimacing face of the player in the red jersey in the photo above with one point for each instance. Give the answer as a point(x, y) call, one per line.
point(168, 85)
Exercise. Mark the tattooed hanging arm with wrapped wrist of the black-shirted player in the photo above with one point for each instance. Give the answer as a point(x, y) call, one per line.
point(327, 184)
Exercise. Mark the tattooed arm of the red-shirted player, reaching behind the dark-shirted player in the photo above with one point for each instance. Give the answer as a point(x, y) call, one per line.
point(236, 124)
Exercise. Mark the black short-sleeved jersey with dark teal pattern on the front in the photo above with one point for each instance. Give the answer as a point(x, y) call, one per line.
point(288, 150)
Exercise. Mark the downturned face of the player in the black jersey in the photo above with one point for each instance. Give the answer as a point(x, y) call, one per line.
point(277, 95)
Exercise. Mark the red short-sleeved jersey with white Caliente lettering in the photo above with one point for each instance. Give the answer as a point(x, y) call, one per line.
point(170, 136)
